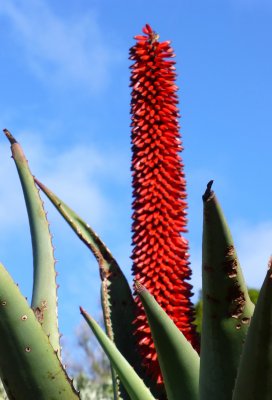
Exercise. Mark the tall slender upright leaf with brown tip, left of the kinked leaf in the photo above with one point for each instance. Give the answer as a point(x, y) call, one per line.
point(44, 295)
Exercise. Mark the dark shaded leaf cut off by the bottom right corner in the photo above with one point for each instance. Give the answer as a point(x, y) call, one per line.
point(255, 369)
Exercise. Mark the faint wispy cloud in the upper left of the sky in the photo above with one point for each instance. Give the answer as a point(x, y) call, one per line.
point(60, 50)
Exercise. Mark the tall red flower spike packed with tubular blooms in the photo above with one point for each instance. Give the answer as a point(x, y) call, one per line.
point(160, 252)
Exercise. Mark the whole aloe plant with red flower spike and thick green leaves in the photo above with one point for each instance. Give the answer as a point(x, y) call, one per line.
point(150, 337)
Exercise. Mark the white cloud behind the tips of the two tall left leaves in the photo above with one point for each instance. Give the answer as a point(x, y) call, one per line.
point(75, 174)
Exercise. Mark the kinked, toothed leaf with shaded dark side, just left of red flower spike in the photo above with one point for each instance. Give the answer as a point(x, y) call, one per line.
point(117, 300)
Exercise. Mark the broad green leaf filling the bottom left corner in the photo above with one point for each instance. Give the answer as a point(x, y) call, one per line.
point(29, 366)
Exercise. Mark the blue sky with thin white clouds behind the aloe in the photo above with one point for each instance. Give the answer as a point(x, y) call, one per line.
point(65, 96)
